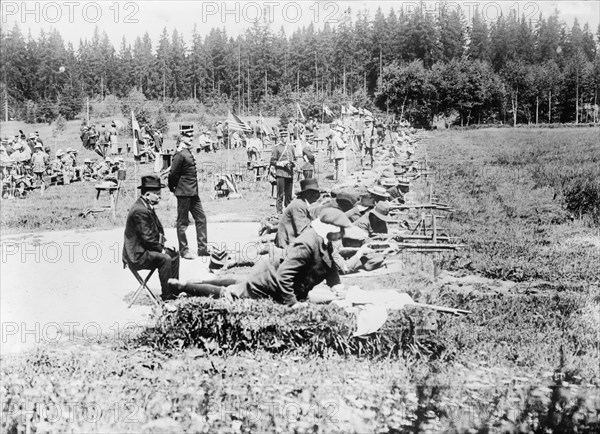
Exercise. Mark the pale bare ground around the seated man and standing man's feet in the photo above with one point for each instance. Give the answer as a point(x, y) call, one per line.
point(71, 286)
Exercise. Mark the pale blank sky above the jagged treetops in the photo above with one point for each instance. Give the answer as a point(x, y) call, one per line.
point(76, 19)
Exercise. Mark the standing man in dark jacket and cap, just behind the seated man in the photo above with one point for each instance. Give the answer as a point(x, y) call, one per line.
point(183, 182)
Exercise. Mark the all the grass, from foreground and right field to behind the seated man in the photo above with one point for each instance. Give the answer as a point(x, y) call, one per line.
point(525, 361)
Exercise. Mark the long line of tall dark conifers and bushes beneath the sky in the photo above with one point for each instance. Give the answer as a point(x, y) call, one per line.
point(418, 65)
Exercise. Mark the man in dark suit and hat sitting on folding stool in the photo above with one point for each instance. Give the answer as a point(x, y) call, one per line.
point(144, 247)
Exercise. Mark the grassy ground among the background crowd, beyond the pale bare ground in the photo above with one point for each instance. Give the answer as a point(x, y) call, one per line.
point(60, 206)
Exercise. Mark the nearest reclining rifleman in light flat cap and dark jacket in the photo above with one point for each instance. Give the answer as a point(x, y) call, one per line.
point(306, 263)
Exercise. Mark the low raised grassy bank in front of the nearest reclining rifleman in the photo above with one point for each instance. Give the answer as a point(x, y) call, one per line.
point(251, 325)
